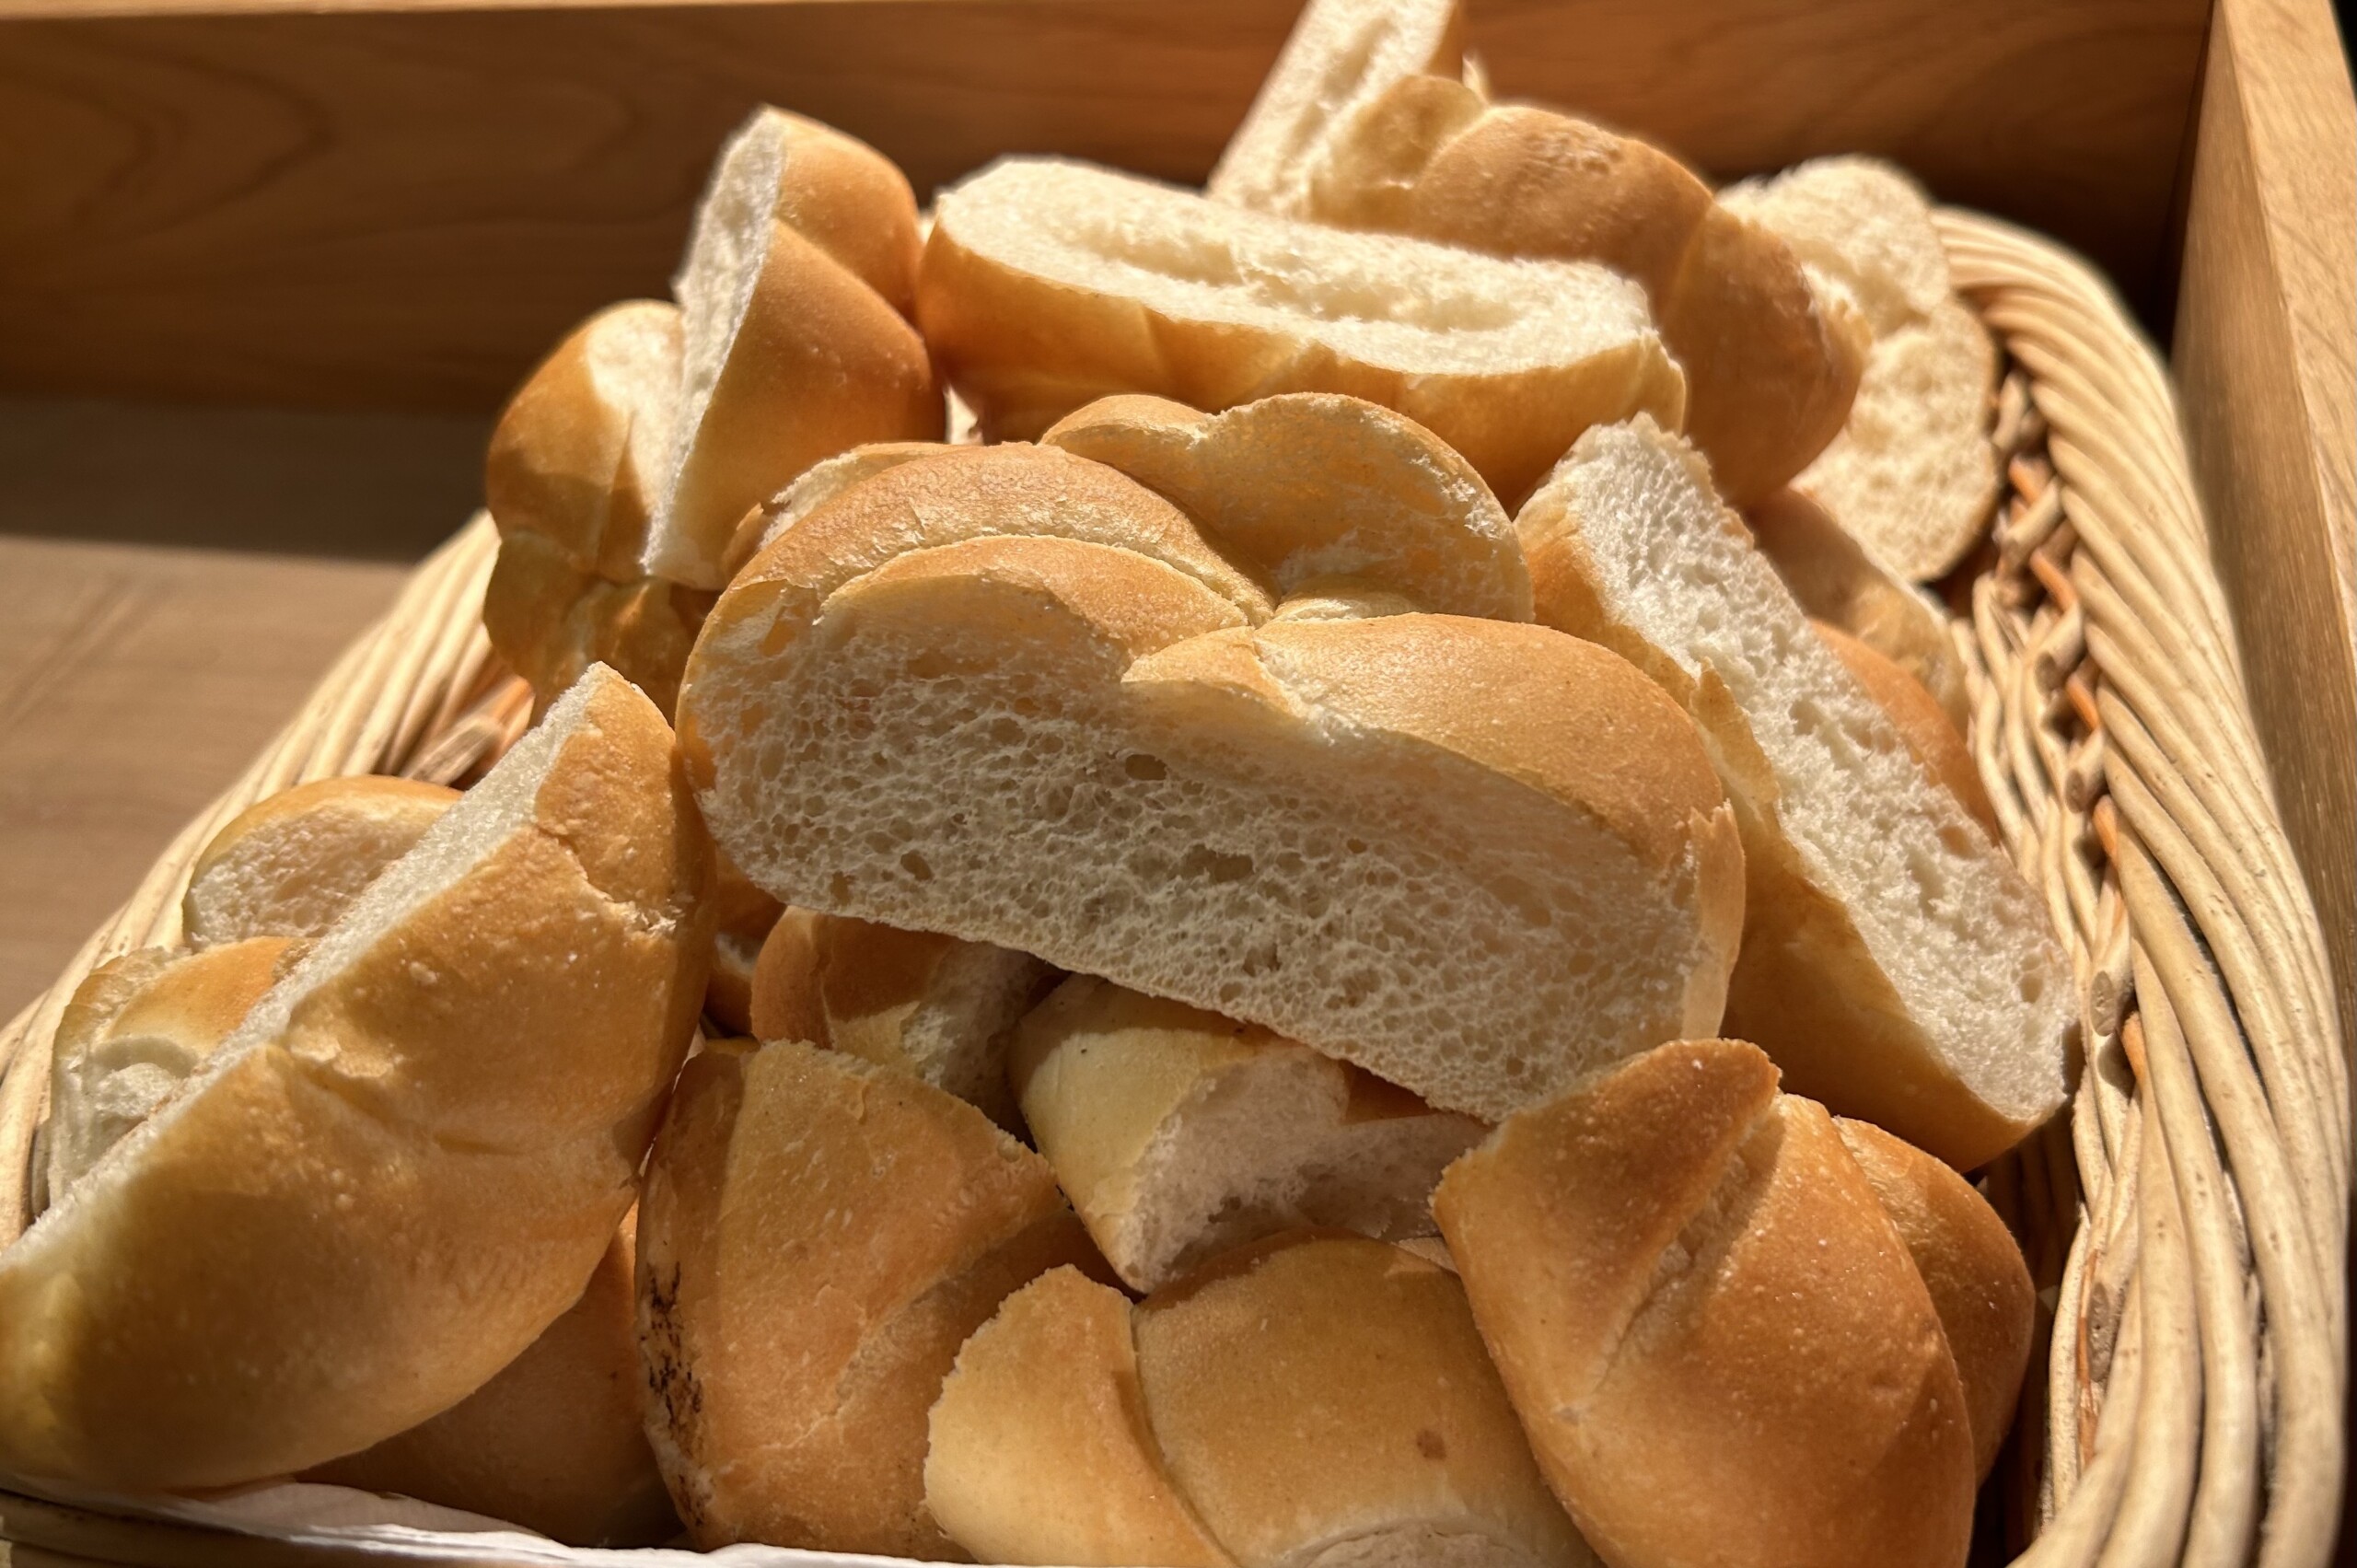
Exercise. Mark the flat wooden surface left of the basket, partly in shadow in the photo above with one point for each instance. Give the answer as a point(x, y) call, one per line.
point(157, 621)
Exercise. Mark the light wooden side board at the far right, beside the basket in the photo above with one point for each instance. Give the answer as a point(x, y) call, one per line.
point(2266, 357)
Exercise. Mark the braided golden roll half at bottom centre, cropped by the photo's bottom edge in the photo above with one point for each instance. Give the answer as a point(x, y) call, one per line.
point(1309, 1399)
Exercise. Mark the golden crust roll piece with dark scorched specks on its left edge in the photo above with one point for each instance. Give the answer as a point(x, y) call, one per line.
point(817, 1239)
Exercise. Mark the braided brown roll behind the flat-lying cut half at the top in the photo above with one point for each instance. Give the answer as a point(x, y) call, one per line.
point(1769, 367)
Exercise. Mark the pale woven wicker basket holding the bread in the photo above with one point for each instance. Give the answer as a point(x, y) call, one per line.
point(2186, 1220)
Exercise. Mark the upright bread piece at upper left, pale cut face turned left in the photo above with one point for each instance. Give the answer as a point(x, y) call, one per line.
point(795, 341)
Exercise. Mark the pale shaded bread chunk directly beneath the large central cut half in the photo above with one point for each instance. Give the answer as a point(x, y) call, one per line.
point(1180, 1135)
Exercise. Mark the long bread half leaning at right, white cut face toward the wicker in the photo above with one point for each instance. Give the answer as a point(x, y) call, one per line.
point(1894, 963)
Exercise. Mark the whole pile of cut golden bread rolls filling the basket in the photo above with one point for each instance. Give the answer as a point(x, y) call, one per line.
point(1356, 930)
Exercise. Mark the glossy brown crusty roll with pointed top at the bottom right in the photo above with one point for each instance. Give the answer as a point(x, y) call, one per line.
point(1710, 1329)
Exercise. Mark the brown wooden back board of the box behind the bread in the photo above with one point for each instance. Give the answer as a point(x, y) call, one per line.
point(402, 206)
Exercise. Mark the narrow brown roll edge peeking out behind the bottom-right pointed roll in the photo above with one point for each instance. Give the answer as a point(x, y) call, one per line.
point(1972, 1267)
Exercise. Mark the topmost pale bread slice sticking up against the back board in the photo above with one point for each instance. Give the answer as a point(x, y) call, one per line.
point(1340, 55)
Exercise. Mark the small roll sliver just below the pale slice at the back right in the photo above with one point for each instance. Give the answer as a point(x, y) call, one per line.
point(1837, 581)
